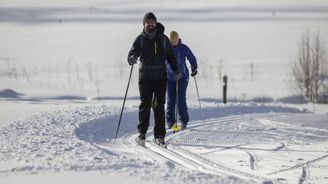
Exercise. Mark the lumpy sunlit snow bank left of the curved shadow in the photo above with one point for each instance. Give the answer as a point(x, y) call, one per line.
point(47, 142)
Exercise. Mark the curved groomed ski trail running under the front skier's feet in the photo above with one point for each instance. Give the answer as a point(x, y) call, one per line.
point(185, 158)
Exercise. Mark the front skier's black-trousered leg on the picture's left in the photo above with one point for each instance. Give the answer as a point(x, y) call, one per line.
point(145, 90)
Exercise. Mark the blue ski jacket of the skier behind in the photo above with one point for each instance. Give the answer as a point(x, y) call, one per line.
point(182, 52)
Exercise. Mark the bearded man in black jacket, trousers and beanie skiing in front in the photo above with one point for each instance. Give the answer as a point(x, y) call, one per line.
point(153, 48)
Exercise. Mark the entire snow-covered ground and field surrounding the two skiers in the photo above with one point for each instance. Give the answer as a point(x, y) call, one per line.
point(63, 74)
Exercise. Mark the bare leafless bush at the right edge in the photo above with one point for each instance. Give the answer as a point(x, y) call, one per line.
point(310, 69)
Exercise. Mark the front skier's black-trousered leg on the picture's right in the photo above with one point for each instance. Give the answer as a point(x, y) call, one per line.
point(159, 113)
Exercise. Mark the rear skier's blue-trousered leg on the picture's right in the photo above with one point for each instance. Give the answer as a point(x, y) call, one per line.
point(182, 103)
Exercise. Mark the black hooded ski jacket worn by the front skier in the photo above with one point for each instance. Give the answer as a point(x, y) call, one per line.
point(153, 53)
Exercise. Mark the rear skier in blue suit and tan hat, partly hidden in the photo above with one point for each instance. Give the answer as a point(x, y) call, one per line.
point(182, 52)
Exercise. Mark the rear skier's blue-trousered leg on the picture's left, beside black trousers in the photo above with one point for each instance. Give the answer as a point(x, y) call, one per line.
point(170, 107)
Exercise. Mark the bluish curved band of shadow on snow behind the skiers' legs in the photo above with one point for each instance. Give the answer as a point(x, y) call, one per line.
point(103, 130)
